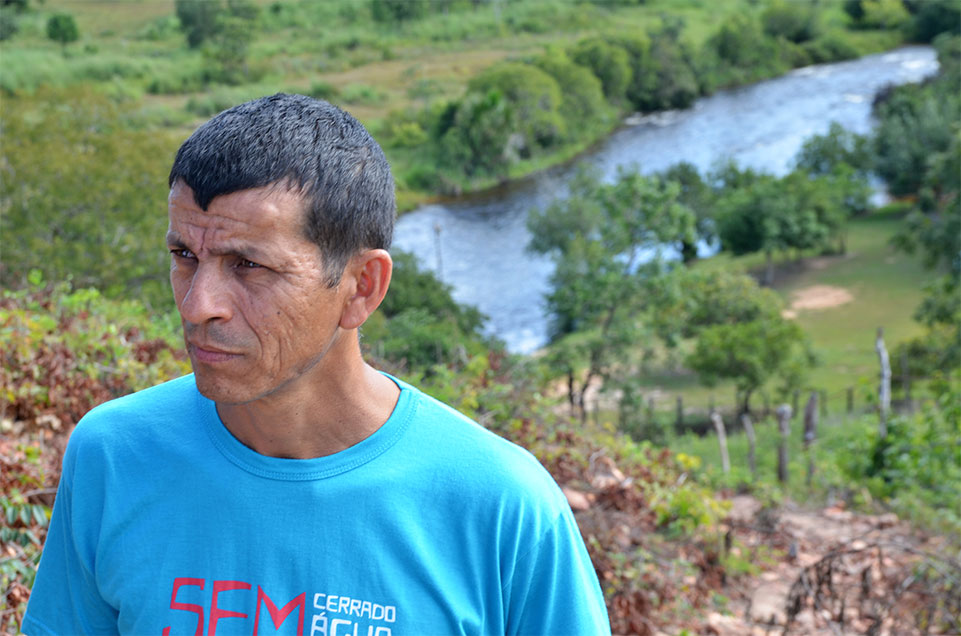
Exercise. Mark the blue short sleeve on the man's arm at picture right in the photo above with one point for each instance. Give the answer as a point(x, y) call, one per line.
point(554, 589)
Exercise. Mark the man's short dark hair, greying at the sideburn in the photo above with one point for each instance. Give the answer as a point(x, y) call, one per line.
point(309, 146)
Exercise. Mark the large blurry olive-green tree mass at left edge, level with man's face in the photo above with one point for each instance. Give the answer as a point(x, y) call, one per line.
point(79, 195)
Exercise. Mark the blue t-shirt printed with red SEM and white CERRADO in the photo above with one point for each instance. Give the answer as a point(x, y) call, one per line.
point(166, 524)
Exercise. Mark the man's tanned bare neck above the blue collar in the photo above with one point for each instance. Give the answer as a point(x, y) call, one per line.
point(329, 409)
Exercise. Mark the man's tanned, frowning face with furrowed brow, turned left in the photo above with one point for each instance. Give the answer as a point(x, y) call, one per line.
point(257, 314)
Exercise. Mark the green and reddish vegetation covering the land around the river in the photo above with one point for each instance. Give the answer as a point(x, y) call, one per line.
point(98, 95)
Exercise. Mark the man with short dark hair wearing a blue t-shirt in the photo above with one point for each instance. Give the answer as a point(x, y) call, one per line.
point(286, 486)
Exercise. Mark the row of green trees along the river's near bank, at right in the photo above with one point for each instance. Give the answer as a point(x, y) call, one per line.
point(618, 299)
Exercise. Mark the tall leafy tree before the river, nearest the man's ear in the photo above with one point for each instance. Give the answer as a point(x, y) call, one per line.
point(605, 241)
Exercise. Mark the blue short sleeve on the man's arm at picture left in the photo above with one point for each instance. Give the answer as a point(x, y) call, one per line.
point(65, 599)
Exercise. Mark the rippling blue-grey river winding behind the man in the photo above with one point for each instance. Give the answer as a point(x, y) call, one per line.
point(477, 243)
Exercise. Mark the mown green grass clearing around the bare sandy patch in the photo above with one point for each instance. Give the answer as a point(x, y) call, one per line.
point(884, 288)
